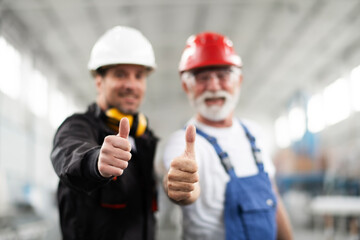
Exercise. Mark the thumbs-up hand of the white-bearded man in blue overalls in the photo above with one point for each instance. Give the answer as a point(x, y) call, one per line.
point(181, 181)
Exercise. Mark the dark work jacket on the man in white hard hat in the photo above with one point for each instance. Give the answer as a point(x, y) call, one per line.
point(93, 207)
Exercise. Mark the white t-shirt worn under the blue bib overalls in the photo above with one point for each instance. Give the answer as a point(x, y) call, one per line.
point(204, 218)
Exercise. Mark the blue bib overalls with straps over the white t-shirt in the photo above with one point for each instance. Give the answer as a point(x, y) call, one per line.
point(250, 203)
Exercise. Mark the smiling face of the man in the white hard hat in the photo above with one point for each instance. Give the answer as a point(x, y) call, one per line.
point(122, 87)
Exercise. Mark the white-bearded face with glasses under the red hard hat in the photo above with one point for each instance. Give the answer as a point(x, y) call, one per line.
point(213, 92)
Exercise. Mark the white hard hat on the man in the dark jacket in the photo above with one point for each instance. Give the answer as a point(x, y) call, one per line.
point(122, 45)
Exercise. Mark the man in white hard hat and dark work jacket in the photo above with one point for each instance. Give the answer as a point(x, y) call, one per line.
point(104, 157)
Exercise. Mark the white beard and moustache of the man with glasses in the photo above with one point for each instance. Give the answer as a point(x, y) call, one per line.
point(215, 112)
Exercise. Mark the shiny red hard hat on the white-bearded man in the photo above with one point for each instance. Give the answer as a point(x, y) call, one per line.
point(208, 49)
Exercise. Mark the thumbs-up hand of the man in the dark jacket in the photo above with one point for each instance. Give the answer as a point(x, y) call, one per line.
point(115, 152)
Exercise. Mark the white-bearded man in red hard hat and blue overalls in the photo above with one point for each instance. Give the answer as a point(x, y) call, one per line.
point(218, 168)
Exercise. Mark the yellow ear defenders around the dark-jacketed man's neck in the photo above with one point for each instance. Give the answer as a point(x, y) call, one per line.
point(138, 122)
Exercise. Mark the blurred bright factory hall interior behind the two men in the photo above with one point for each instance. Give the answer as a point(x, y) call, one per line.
point(301, 84)
